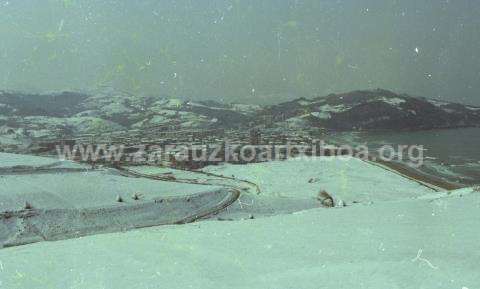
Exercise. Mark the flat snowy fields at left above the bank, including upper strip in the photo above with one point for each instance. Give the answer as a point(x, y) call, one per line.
point(89, 188)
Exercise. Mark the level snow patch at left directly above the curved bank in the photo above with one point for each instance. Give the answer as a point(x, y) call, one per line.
point(80, 190)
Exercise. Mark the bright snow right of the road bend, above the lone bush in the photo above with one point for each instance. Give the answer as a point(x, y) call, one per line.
point(348, 179)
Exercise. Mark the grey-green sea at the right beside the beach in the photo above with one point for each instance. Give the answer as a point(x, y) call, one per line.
point(451, 154)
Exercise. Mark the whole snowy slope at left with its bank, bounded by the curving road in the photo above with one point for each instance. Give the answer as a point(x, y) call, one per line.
point(43, 200)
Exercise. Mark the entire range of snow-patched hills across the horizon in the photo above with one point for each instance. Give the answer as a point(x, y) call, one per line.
point(29, 116)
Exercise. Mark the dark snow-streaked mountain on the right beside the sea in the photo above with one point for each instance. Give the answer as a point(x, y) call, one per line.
point(373, 110)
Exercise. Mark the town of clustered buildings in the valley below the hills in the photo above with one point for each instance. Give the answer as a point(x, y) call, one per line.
point(187, 148)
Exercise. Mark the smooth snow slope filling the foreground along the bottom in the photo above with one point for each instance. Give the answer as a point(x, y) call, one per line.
point(405, 244)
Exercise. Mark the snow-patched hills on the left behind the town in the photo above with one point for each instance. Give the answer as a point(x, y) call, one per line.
point(70, 114)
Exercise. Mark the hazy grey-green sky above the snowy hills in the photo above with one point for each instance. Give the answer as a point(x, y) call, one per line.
point(243, 50)
